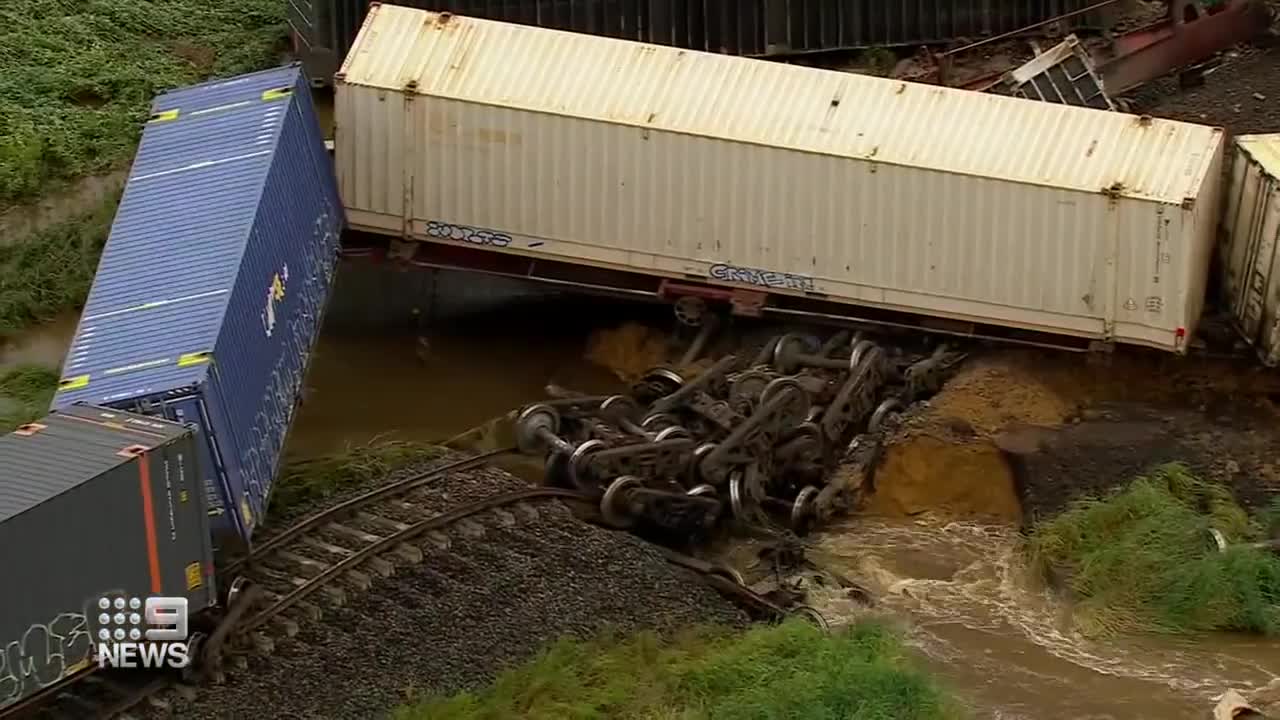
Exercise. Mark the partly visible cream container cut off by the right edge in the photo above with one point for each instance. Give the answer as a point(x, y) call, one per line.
point(1251, 254)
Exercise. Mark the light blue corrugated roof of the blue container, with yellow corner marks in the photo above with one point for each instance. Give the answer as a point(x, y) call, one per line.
point(180, 234)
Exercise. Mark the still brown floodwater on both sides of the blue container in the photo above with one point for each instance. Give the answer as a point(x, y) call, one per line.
point(420, 356)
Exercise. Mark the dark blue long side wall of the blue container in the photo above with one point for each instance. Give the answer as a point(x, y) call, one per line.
point(278, 303)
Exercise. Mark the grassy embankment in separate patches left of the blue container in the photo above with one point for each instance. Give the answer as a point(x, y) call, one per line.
point(77, 83)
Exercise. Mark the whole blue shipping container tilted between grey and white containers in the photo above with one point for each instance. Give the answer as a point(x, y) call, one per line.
point(214, 281)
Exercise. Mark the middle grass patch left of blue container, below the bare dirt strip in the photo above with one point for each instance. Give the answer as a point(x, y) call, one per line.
point(51, 272)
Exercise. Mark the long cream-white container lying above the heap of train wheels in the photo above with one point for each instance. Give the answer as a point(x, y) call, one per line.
point(778, 177)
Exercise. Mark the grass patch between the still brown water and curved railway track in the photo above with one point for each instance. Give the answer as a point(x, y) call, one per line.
point(323, 477)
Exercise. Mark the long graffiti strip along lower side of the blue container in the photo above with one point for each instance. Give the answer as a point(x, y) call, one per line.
point(260, 455)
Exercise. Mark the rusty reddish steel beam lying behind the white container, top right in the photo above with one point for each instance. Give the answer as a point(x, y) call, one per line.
point(1180, 42)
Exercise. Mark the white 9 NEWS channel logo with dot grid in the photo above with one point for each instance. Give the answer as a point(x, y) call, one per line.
point(143, 634)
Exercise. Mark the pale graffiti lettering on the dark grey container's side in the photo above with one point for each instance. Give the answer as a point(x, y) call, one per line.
point(44, 655)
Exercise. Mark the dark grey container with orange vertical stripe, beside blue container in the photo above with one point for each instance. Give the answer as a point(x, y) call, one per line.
point(93, 502)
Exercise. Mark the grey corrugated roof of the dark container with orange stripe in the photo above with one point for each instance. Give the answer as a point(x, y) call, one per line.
point(75, 446)
